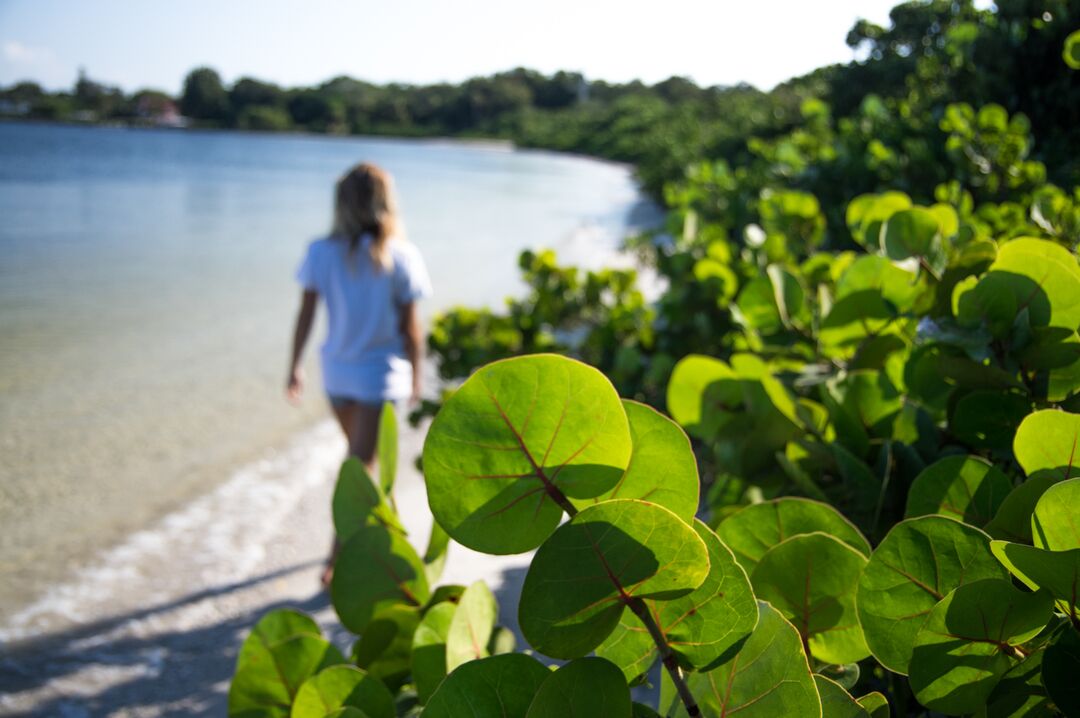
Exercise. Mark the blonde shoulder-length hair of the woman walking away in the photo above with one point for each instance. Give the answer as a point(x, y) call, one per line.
point(366, 205)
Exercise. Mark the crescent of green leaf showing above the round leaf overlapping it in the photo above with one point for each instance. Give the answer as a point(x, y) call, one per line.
point(753, 531)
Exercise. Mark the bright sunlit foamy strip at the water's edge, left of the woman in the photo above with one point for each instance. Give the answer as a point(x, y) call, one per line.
point(212, 541)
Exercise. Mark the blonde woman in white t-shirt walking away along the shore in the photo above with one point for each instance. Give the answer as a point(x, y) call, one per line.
point(371, 280)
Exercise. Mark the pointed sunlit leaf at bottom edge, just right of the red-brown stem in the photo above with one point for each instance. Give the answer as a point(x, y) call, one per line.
point(768, 678)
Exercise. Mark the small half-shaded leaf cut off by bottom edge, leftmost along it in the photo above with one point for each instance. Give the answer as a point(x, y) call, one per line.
point(340, 687)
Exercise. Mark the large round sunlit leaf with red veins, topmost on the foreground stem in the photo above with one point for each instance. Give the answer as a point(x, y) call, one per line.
point(511, 439)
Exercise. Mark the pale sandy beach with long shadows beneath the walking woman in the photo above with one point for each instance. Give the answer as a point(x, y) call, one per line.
point(154, 627)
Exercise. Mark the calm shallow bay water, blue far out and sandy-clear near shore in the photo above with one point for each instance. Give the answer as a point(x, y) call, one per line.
point(146, 301)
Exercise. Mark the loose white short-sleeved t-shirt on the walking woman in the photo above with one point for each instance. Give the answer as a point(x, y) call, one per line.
point(364, 355)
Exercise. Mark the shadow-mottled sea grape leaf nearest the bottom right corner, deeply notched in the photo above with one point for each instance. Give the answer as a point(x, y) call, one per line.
point(965, 647)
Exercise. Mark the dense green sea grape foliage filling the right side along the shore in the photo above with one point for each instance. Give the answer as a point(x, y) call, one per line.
point(869, 329)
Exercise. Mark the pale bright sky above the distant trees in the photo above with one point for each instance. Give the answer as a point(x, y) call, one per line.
point(154, 44)
